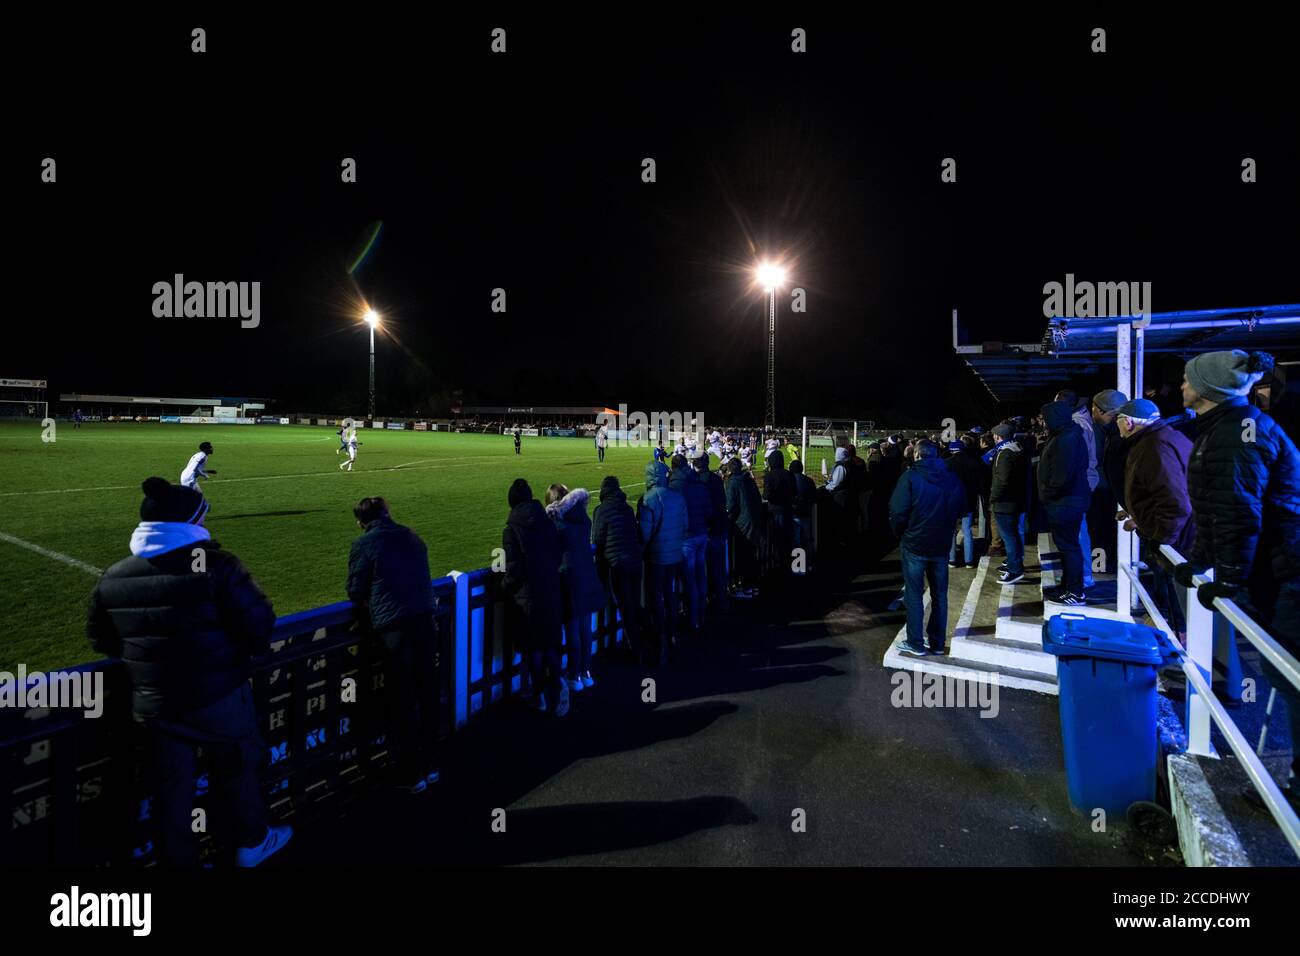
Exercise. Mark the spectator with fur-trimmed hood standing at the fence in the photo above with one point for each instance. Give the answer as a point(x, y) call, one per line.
point(580, 587)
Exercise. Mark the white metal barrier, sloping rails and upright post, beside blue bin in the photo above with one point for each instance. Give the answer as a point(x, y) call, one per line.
point(1203, 707)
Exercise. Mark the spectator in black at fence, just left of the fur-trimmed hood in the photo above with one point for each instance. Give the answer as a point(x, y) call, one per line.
point(532, 583)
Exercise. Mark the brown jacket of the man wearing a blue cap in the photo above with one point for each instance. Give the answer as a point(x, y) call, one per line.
point(1155, 486)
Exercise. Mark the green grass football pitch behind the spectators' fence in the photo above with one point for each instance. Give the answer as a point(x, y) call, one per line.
point(279, 501)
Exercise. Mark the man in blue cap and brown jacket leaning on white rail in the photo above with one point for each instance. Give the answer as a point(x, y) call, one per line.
point(1155, 490)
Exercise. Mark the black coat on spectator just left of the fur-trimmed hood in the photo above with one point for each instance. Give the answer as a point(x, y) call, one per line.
point(532, 579)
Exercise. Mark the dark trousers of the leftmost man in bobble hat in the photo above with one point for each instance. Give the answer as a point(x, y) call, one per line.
point(228, 734)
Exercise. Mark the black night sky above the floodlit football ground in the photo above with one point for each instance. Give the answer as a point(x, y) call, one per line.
point(525, 172)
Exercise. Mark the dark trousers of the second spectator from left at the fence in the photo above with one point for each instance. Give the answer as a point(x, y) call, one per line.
point(411, 664)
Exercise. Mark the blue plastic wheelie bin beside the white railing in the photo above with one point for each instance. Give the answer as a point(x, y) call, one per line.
point(1107, 678)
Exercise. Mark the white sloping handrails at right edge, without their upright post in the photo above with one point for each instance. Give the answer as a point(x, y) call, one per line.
point(1255, 769)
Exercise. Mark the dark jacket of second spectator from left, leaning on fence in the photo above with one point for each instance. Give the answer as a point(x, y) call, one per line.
point(388, 574)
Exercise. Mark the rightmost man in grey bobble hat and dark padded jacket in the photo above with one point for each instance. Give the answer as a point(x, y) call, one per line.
point(1245, 485)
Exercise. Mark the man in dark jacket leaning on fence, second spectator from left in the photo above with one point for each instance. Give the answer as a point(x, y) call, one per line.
point(391, 587)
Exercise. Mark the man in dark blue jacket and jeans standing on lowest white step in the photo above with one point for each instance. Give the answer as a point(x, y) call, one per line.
point(928, 503)
